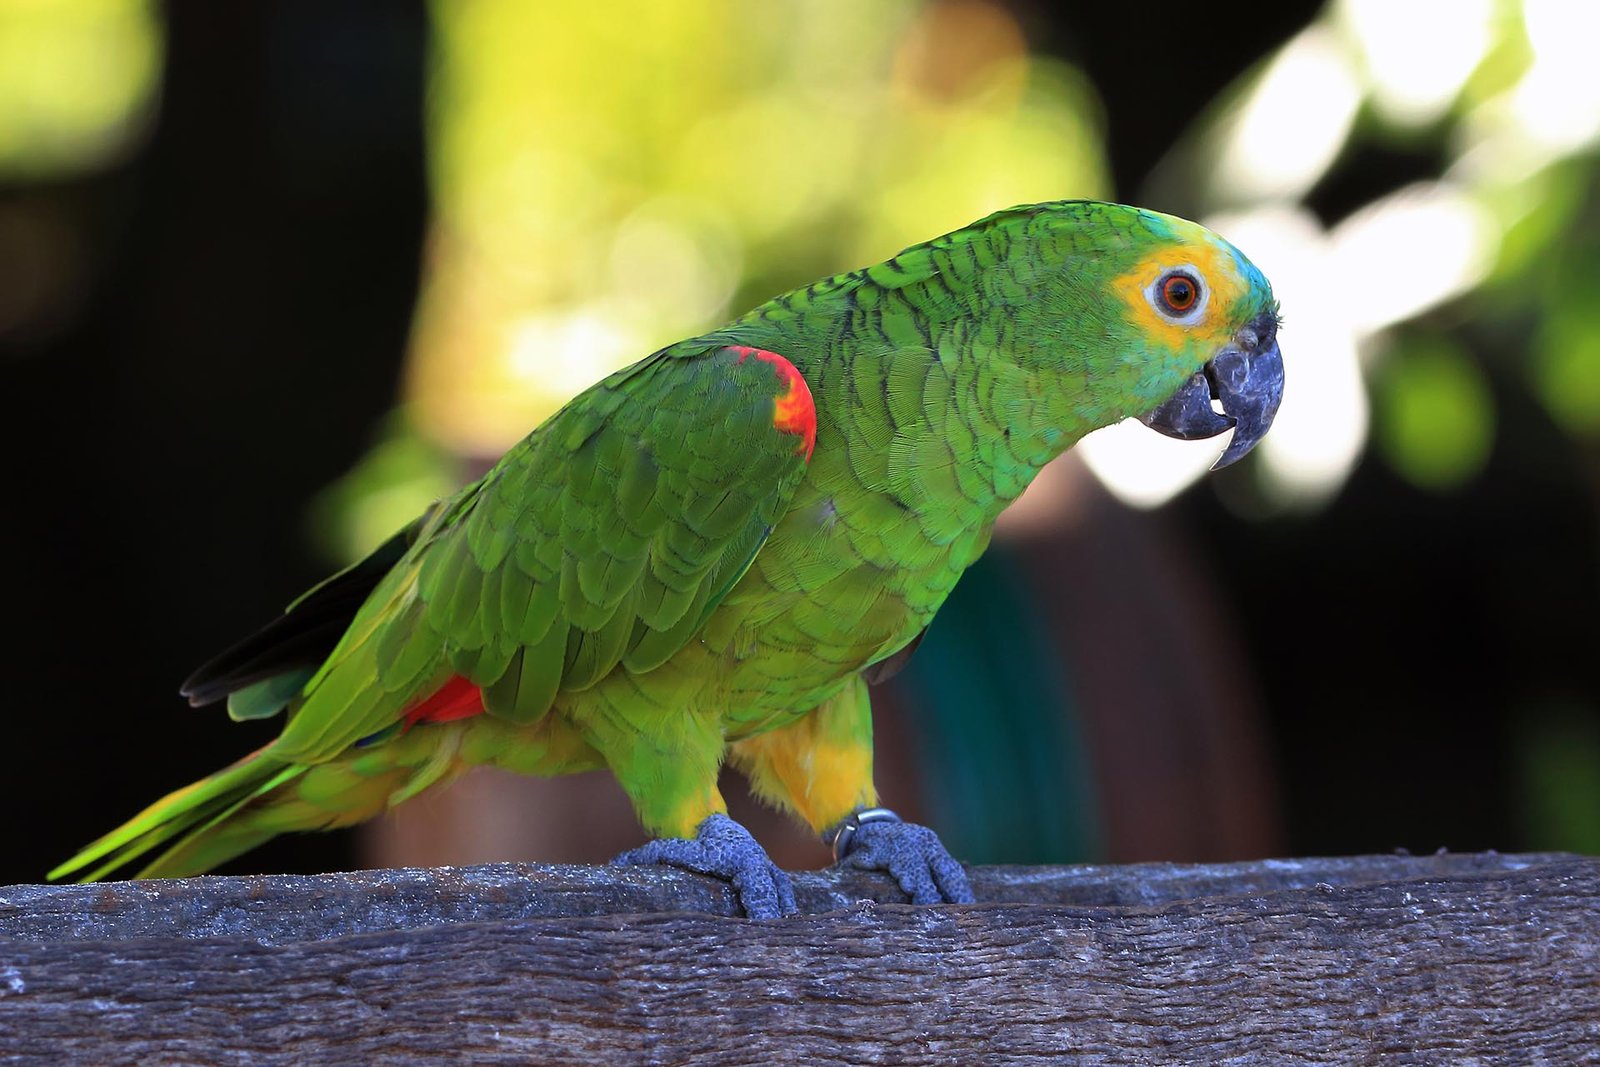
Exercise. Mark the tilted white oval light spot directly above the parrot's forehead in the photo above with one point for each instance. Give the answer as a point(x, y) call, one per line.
point(1292, 124)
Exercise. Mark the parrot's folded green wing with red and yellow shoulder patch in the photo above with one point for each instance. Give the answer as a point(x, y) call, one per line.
point(604, 540)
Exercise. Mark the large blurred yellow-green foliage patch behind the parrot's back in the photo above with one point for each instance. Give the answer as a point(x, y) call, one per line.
point(610, 178)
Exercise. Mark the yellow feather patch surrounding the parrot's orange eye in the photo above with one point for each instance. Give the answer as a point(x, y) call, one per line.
point(1198, 250)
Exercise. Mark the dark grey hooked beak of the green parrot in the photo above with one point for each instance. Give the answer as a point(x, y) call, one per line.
point(1246, 380)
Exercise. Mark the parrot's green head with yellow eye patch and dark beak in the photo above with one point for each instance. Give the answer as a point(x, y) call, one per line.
point(1191, 321)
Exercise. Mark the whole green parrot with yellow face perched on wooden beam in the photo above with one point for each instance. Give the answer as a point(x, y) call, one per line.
point(708, 557)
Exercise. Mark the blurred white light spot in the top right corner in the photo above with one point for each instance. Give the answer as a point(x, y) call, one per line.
point(1558, 103)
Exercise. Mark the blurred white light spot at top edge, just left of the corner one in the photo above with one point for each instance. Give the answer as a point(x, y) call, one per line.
point(1409, 82)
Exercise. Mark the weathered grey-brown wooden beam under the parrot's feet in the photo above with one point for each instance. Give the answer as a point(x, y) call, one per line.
point(1382, 959)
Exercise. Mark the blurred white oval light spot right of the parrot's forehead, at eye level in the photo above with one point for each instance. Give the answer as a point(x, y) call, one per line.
point(1409, 252)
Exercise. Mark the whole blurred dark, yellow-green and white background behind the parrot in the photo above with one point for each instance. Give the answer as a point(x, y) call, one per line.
point(276, 276)
